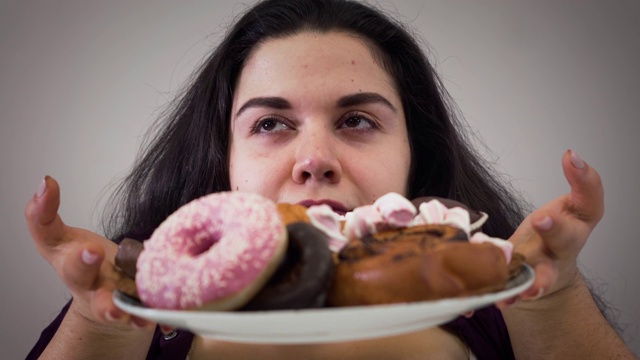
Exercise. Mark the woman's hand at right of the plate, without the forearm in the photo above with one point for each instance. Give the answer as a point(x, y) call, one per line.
point(552, 236)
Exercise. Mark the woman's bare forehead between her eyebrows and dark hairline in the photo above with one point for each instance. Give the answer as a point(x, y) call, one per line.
point(312, 62)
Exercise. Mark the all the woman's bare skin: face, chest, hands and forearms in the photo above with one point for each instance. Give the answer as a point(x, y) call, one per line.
point(320, 159)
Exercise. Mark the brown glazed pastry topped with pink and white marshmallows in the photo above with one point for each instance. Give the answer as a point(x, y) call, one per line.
point(439, 253)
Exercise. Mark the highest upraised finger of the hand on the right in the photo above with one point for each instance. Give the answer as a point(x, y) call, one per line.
point(587, 193)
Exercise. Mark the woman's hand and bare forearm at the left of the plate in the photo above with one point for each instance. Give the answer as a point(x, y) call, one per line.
point(94, 328)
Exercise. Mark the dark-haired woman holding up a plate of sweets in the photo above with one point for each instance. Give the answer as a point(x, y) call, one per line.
point(326, 100)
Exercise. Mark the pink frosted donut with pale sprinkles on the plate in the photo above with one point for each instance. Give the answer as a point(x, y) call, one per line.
point(214, 253)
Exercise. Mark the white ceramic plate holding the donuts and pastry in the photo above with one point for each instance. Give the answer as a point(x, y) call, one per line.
point(322, 325)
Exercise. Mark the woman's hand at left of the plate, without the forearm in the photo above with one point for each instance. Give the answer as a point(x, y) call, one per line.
point(82, 259)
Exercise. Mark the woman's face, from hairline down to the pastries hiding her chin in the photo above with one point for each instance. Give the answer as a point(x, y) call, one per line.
point(316, 120)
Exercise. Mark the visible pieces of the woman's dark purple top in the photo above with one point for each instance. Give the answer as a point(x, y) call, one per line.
point(485, 333)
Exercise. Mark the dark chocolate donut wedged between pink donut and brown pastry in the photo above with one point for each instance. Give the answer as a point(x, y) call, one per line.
point(303, 277)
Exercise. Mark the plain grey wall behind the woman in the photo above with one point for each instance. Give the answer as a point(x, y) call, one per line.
point(80, 81)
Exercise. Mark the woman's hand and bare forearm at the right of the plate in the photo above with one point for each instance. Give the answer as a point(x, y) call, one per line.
point(558, 309)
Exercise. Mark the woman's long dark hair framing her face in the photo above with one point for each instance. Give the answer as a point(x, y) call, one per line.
point(188, 155)
